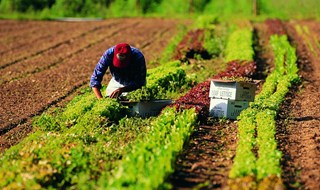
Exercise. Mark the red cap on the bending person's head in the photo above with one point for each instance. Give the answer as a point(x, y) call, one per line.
point(122, 55)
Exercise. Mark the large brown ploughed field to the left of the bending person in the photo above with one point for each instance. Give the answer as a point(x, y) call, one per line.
point(42, 63)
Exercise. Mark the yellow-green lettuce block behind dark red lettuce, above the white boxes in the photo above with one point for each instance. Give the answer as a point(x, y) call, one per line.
point(239, 45)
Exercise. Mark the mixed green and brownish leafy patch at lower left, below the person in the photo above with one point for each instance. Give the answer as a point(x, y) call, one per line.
point(60, 159)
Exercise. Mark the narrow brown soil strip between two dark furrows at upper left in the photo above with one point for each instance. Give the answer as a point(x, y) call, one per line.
point(58, 54)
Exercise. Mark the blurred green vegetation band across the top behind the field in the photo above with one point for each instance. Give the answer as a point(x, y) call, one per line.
point(52, 9)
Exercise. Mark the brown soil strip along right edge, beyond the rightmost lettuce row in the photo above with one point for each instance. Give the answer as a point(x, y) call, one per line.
point(299, 135)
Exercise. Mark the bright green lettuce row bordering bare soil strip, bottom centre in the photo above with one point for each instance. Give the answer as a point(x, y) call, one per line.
point(150, 159)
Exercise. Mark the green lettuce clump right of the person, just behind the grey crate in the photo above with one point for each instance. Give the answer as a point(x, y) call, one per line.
point(162, 80)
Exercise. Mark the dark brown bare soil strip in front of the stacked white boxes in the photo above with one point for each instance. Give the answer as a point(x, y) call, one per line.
point(207, 160)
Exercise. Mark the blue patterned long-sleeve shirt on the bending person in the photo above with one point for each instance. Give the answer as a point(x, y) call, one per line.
point(134, 75)
